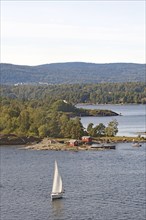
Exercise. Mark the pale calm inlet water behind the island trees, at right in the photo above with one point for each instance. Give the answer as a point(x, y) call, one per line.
point(133, 118)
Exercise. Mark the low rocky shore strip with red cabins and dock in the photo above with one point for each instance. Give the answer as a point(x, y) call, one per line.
point(85, 143)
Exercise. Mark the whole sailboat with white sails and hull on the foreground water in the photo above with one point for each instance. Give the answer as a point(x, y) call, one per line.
point(57, 189)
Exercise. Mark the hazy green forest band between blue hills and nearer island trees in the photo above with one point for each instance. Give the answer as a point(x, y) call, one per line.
point(113, 93)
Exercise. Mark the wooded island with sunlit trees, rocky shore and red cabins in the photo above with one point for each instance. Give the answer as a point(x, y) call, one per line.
point(55, 125)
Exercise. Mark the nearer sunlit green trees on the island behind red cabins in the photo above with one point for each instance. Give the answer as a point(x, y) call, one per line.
point(47, 118)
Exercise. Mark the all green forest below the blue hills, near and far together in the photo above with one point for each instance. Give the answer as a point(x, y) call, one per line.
point(49, 110)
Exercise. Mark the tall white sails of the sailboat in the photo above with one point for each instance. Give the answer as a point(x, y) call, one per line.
point(57, 181)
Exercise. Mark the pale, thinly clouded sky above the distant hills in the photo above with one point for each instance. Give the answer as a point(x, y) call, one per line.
point(41, 32)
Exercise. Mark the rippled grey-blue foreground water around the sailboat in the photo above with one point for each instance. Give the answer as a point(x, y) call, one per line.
point(99, 185)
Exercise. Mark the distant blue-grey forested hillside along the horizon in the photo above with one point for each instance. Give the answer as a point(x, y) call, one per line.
point(70, 73)
